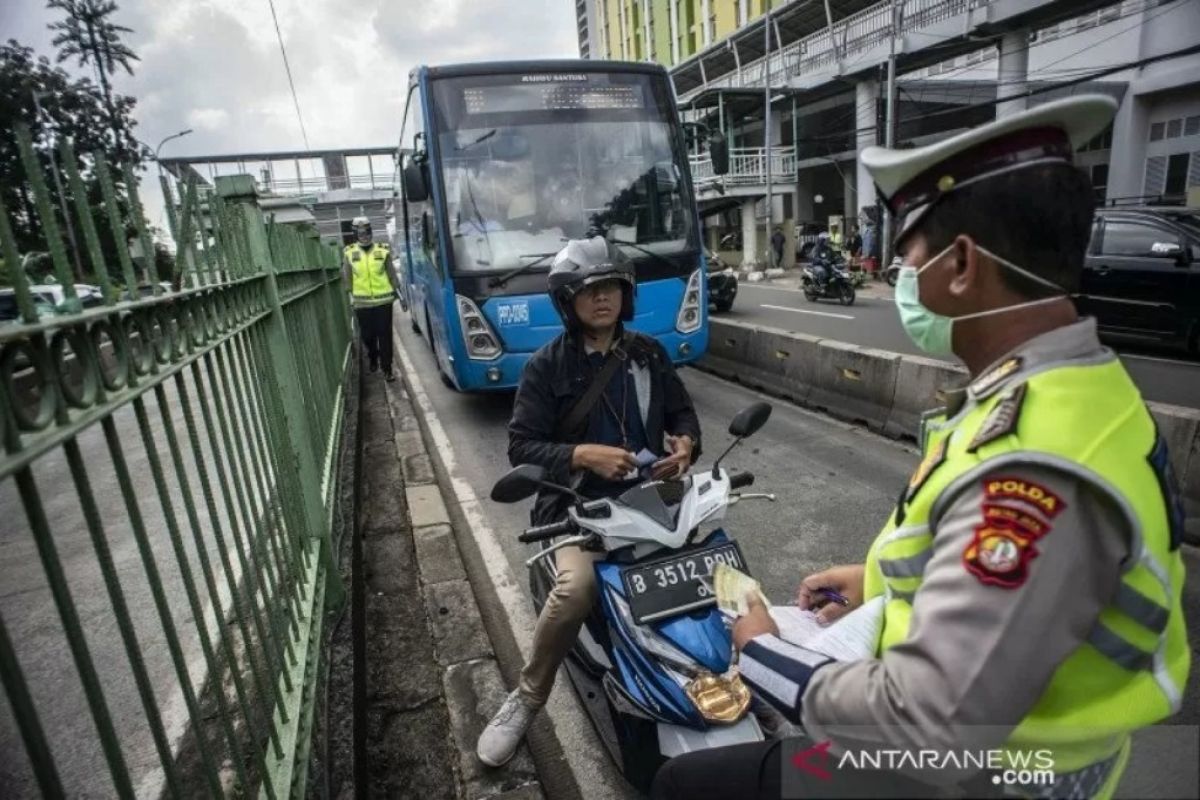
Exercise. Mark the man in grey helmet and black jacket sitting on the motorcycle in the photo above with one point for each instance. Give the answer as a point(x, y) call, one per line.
point(587, 404)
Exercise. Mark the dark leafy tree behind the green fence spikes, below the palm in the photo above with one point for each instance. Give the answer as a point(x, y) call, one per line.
point(74, 110)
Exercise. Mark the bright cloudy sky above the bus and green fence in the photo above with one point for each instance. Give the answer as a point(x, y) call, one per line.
point(215, 65)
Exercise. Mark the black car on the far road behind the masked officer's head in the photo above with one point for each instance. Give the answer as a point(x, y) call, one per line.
point(1142, 276)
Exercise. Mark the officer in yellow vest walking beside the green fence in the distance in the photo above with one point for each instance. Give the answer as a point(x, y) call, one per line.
point(374, 287)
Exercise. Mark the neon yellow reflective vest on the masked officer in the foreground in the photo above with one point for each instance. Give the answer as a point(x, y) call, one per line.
point(1132, 671)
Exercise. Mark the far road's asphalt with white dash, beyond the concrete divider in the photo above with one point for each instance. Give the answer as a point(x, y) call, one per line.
point(1163, 375)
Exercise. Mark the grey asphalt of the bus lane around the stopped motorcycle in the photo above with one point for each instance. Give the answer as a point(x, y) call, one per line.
point(836, 485)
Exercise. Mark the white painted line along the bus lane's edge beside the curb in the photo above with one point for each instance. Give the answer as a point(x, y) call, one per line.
point(568, 759)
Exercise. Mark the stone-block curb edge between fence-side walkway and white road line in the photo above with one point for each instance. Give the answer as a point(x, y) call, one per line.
point(471, 677)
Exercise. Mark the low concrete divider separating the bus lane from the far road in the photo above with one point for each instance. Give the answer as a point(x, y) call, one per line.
point(890, 392)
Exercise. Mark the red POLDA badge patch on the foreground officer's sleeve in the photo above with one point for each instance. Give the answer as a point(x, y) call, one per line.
point(1005, 543)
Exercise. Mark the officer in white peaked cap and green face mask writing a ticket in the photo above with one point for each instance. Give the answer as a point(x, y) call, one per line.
point(1030, 574)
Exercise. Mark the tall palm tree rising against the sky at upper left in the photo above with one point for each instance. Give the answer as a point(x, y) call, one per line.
point(93, 39)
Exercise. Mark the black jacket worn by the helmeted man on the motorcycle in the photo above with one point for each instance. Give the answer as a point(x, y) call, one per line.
point(553, 382)
